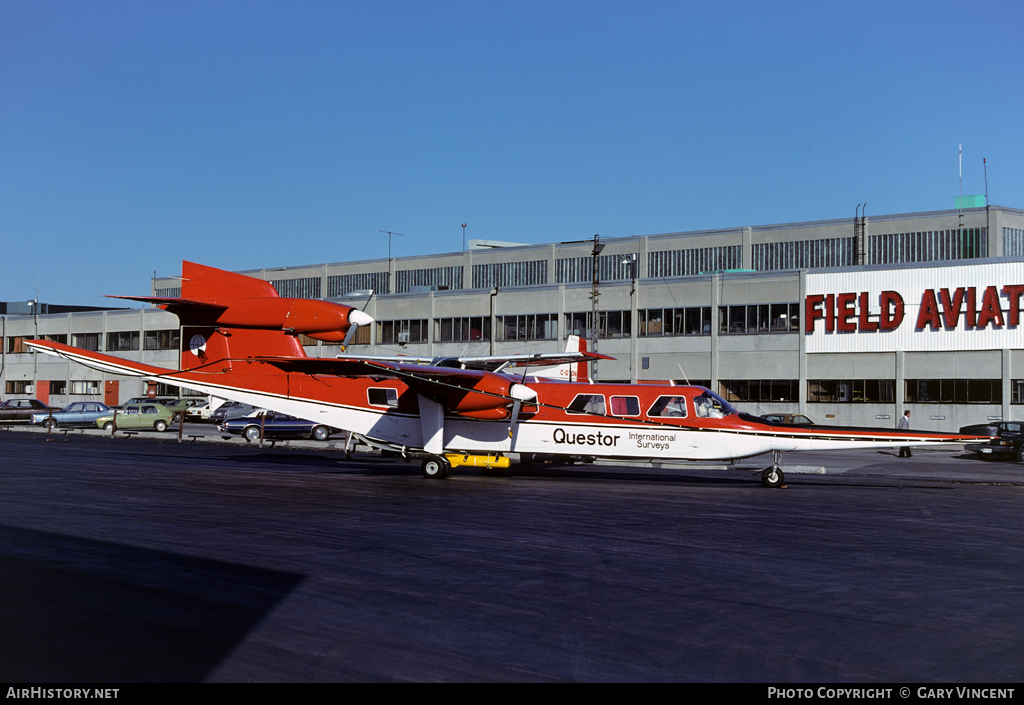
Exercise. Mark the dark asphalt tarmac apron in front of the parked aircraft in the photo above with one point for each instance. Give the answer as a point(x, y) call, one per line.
point(142, 560)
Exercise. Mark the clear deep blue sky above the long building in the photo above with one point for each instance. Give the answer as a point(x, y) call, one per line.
point(246, 135)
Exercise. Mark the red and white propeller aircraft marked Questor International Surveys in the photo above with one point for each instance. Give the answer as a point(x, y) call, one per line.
point(241, 343)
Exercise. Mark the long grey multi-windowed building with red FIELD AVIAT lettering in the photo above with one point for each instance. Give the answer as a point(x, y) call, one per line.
point(847, 321)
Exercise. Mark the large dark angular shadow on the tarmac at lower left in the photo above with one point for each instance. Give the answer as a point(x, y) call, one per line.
point(75, 610)
